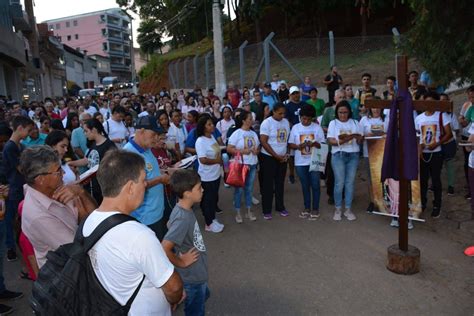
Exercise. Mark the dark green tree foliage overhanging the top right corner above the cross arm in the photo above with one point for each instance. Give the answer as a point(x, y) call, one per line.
point(442, 39)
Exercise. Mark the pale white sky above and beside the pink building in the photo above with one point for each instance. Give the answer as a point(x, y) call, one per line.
point(53, 9)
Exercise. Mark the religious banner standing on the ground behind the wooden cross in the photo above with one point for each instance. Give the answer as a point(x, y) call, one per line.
point(385, 194)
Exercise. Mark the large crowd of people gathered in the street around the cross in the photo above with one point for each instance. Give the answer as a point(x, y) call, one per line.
point(137, 143)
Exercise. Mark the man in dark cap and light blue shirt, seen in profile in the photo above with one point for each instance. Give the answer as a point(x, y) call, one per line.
point(150, 212)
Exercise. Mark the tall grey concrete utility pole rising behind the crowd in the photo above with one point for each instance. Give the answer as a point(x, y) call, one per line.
point(219, 70)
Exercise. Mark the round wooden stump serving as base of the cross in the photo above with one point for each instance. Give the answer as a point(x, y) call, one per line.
point(402, 262)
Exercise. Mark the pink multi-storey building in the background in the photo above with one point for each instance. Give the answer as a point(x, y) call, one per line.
point(105, 33)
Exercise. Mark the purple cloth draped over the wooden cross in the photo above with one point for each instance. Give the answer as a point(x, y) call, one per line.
point(390, 166)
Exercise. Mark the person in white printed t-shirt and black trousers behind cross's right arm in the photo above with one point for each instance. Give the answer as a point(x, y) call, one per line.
point(432, 136)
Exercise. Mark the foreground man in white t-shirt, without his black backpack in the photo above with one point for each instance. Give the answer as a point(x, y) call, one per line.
point(120, 270)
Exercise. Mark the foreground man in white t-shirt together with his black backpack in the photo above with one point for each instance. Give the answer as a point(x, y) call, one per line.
point(115, 266)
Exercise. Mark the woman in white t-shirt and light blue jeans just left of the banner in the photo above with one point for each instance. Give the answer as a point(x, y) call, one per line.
point(344, 135)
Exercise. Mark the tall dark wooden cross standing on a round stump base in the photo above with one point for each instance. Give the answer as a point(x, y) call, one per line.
point(404, 258)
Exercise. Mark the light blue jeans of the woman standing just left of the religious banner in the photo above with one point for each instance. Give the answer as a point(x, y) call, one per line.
point(344, 166)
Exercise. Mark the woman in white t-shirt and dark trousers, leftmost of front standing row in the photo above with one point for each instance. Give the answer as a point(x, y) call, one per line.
point(210, 160)
